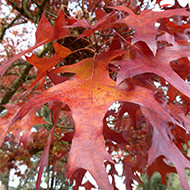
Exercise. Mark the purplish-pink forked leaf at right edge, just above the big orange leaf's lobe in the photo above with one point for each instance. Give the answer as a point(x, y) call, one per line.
point(145, 62)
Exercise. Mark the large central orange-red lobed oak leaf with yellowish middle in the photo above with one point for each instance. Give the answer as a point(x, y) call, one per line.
point(89, 95)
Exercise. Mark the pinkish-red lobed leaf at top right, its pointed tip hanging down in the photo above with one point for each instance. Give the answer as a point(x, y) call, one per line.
point(144, 24)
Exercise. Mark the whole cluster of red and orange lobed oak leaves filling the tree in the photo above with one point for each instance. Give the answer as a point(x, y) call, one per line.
point(124, 53)
